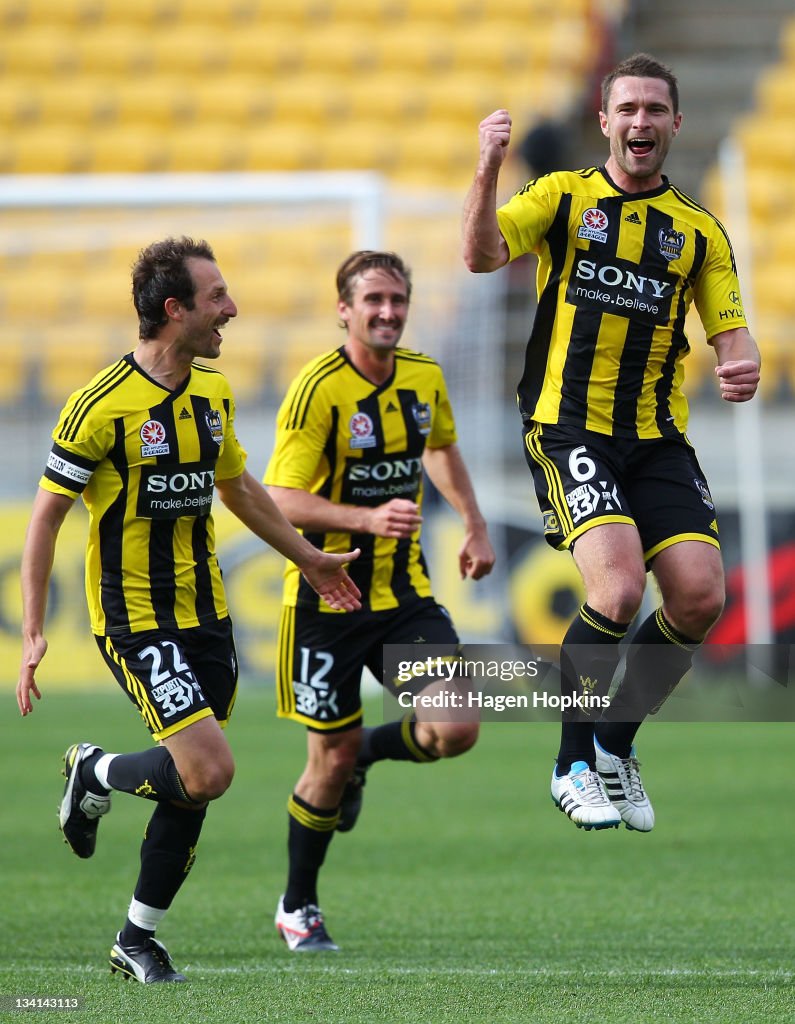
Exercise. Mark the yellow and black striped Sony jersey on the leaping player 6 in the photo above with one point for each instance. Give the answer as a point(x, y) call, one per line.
point(617, 275)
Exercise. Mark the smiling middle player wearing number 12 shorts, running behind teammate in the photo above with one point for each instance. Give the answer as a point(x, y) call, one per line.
point(355, 432)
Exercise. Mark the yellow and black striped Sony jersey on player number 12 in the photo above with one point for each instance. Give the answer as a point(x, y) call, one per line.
point(356, 443)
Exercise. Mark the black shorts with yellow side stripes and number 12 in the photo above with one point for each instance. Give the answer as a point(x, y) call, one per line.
point(322, 656)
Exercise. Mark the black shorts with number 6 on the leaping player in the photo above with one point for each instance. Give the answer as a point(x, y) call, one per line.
point(585, 480)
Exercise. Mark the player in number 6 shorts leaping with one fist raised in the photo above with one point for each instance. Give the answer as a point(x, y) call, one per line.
point(622, 255)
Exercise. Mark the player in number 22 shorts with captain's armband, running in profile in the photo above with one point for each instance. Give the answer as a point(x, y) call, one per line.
point(145, 444)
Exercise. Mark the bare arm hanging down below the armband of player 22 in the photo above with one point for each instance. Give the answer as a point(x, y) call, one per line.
point(49, 514)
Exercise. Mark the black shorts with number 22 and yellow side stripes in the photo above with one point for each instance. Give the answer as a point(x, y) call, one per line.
point(177, 677)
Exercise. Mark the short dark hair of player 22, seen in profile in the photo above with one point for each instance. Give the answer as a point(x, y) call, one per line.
point(161, 273)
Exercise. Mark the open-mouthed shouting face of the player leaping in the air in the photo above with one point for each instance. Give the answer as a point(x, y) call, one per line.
point(641, 123)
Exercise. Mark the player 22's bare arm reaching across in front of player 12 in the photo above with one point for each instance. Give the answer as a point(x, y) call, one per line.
point(325, 573)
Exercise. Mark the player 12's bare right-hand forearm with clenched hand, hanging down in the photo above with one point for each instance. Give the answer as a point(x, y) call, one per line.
point(446, 468)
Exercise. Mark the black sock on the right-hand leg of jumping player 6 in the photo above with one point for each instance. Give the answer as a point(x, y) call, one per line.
point(659, 657)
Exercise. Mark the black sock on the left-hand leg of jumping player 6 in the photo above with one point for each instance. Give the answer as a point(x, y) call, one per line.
point(590, 655)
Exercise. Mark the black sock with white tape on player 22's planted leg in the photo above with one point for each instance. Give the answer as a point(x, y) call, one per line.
point(168, 856)
